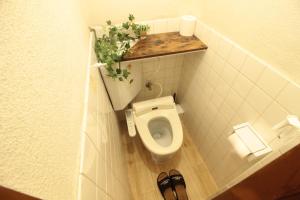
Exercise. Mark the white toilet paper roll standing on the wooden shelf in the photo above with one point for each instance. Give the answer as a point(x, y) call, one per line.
point(187, 25)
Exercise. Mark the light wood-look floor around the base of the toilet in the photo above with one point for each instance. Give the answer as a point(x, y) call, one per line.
point(143, 171)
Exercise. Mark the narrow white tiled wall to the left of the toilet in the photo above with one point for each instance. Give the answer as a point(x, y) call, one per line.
point(103, 172)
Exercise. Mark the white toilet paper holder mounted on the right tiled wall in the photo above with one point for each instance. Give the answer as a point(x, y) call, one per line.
point(247, 142)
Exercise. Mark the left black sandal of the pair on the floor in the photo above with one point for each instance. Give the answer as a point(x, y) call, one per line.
point(165, 186)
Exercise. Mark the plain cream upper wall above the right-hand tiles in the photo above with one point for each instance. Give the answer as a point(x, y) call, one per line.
point(270, 29)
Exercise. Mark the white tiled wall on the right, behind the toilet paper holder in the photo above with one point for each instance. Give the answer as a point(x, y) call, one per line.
point(226, 86)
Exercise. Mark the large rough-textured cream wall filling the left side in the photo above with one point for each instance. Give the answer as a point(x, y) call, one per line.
point(43, 57)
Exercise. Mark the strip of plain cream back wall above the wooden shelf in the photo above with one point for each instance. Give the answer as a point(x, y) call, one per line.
point(118, 11)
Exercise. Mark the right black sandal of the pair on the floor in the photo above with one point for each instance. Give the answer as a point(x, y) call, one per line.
point(178, 184)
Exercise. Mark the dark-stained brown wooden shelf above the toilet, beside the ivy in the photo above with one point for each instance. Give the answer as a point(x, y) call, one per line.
point(164, 44)
